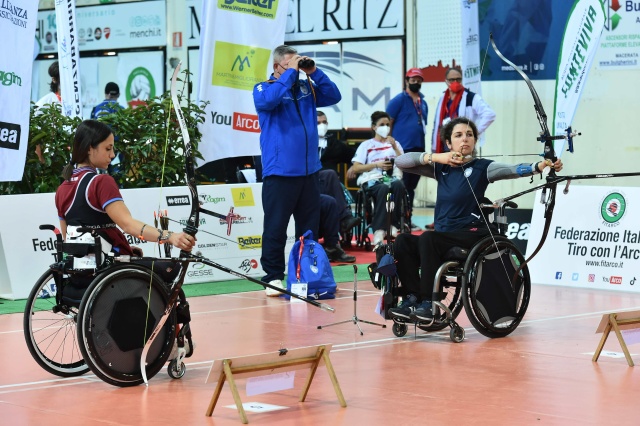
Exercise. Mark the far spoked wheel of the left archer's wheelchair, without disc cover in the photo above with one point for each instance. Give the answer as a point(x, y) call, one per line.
point(50, 330)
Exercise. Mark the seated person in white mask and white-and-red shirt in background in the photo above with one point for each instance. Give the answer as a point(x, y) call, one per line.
point(374, 163)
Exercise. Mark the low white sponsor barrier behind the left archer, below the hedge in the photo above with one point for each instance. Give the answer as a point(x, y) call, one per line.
point(26, 251)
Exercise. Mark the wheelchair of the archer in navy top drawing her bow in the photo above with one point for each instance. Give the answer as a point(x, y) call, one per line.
point(487, 280)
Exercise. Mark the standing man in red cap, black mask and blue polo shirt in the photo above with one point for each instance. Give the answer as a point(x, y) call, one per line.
point(408, 111)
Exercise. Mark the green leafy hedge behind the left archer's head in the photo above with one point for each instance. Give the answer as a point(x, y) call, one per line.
point(143, 134)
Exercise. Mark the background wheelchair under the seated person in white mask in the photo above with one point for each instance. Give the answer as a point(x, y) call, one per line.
point(364, 205)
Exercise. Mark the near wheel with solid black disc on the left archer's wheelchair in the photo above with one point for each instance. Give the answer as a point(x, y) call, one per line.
point(114, 323)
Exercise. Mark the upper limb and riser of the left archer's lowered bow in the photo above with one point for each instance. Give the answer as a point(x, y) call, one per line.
point(191, 227)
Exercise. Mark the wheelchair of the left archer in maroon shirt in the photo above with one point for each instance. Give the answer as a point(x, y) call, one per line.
point(79, 319)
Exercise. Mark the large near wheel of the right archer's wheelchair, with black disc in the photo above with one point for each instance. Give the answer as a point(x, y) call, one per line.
point(495, 305)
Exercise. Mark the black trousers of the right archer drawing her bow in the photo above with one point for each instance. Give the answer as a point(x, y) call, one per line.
point(425, 253)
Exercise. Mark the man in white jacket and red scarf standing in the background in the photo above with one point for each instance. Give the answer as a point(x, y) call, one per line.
point(458, 101)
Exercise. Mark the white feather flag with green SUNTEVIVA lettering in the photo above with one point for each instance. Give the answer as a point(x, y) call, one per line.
point(579, 44)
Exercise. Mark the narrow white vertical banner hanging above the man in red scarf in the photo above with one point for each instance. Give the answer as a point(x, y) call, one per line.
point(470, 46)
